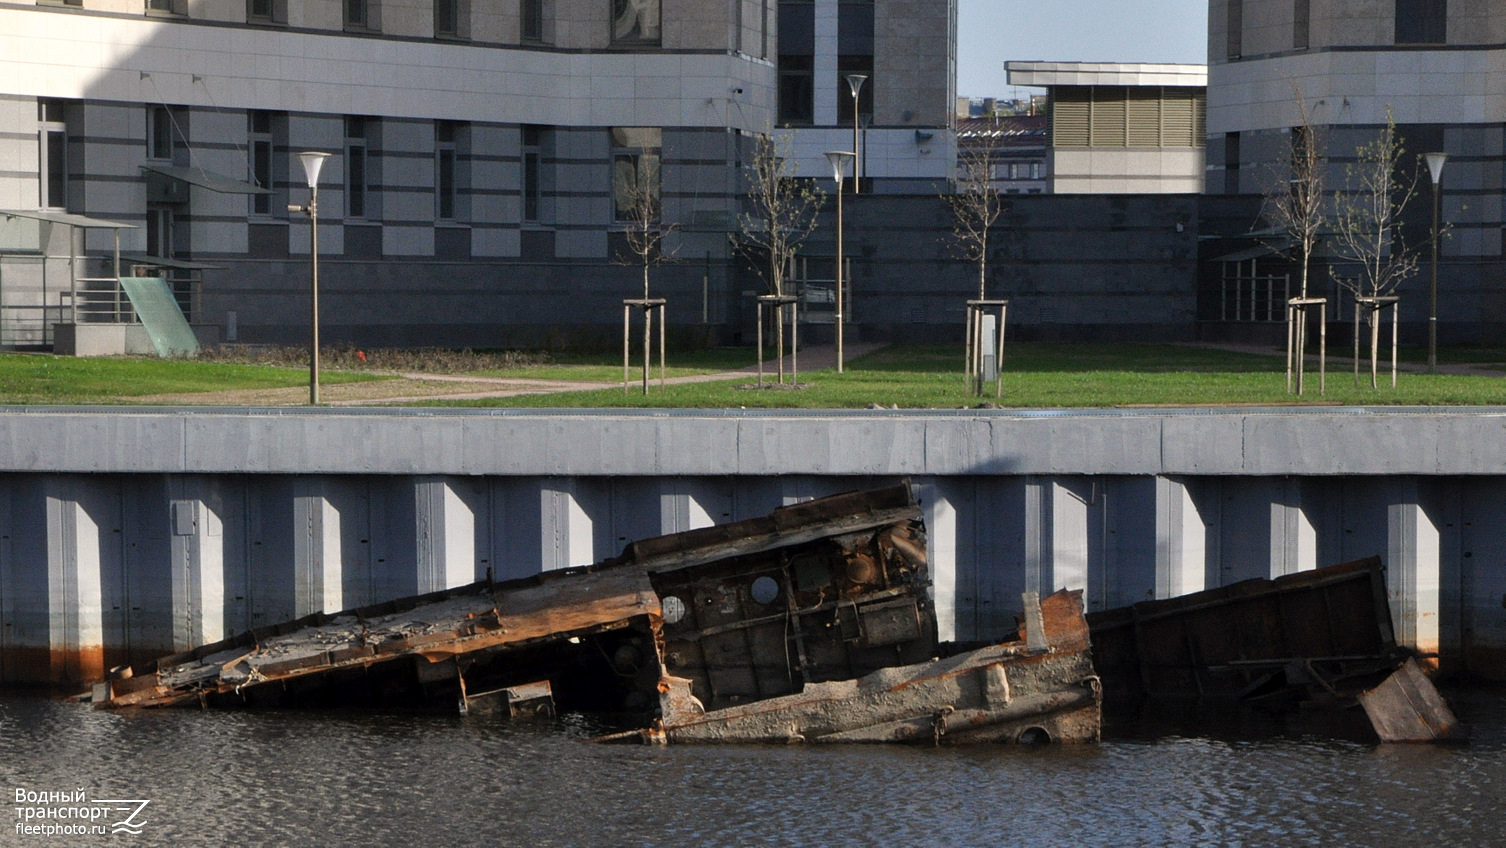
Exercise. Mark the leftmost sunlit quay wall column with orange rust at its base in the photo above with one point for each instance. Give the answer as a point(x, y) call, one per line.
point(75, 605)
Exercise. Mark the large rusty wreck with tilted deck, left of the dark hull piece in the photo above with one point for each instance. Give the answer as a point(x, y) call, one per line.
point(809, 624)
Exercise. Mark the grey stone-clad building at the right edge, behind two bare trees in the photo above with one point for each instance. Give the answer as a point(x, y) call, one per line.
point(1436, 67)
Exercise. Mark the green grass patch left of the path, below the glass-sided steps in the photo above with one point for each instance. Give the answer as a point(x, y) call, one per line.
point(37, 379)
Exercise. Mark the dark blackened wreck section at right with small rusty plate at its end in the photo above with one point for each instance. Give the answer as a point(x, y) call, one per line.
point(1317, 638)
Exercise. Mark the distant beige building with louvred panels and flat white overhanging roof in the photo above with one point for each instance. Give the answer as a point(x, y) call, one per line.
point(1123, 129)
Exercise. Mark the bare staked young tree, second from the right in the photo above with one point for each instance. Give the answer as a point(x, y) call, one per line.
point(1296, 204)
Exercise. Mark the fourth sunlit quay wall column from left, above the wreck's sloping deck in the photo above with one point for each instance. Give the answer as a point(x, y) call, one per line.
point(445, 526)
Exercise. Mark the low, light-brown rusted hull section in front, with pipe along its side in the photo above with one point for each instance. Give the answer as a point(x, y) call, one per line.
point(1038, 689)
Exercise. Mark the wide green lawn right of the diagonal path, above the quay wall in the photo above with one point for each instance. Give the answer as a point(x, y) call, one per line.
point(1044, 376)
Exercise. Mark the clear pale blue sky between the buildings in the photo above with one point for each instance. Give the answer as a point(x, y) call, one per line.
point(993, 32)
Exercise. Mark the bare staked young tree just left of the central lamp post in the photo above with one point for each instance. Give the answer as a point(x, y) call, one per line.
point(782, 215)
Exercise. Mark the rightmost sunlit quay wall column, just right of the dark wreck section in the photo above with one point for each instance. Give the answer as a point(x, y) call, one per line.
point(1413, 569)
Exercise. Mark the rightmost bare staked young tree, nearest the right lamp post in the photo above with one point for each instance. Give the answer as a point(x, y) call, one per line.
point(1368, 233)
